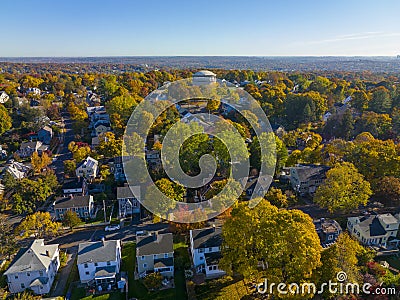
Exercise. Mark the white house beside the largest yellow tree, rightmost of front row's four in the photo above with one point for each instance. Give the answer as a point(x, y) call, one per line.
point(205, 247)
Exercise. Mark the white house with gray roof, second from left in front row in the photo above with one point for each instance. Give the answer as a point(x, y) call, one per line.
point(99, 262)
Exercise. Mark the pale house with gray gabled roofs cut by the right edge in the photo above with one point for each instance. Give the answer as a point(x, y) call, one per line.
point(374, 229)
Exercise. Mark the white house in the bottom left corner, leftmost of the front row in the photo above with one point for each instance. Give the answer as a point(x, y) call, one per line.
point(34, 268)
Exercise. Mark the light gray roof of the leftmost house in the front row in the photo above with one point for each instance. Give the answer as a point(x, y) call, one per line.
point(33, 258)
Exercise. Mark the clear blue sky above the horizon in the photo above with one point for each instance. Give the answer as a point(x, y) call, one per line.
point(199, 27)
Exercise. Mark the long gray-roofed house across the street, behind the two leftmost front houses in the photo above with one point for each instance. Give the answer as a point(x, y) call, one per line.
point(82, 205)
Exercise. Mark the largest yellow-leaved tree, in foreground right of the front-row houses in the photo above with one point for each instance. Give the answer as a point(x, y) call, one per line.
point(266, 242)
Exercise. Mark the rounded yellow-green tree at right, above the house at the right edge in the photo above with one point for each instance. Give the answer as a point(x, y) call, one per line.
point(344, 189)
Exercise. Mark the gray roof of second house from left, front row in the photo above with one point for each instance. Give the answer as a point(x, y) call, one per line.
point(101, 251)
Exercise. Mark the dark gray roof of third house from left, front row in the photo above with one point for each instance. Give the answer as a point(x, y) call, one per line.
point(154, 244)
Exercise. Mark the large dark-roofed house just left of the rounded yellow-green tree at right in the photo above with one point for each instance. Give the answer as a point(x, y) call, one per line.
point(306, 178)
